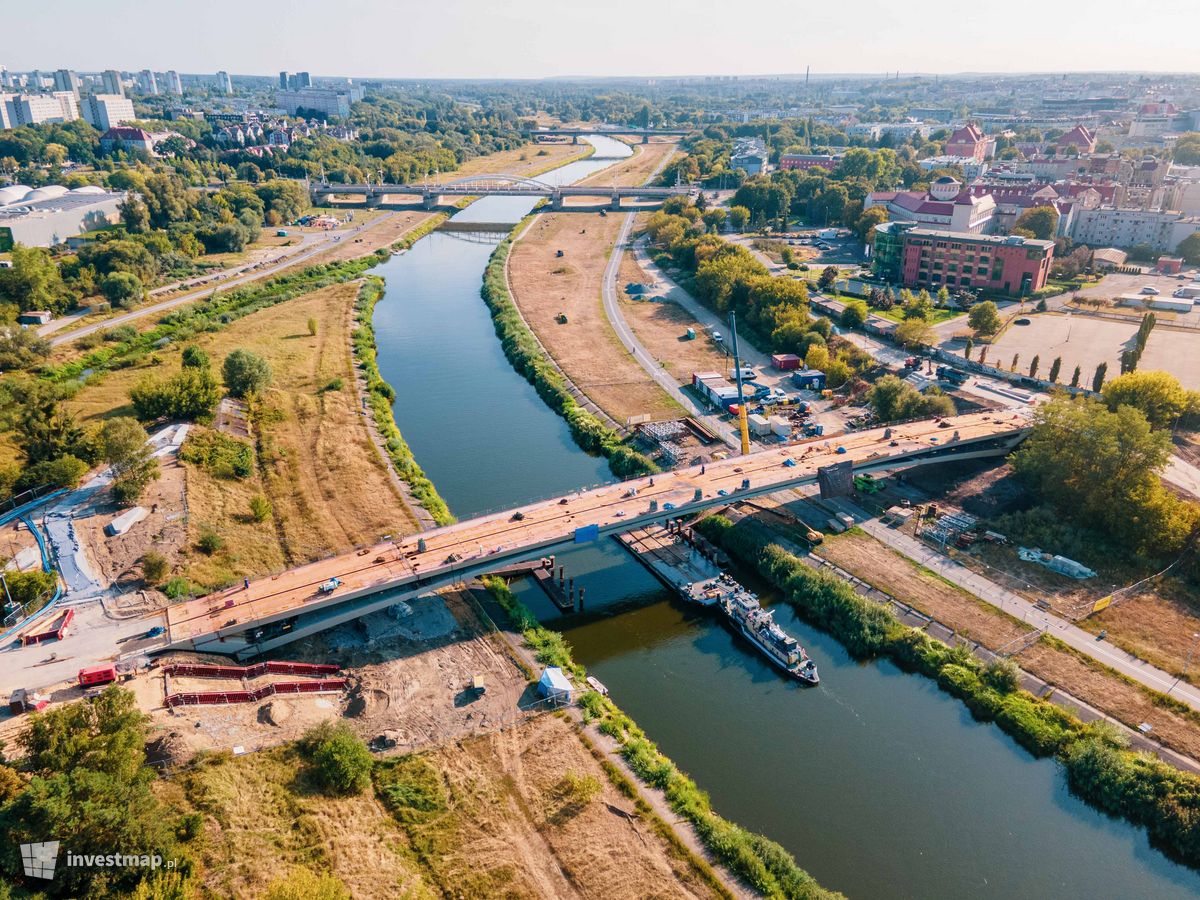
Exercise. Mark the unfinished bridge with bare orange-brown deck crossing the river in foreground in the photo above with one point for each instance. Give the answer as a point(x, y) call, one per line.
point(277, 610)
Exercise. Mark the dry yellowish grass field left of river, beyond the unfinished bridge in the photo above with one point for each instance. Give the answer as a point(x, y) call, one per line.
point(316, 463)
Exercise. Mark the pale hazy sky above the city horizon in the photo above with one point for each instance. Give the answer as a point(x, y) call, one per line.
point(520, 39)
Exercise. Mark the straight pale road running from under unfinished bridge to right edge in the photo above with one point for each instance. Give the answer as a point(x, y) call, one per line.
point(1017, 605)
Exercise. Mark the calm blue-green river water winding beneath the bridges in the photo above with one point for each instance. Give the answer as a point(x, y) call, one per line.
point(881, 785)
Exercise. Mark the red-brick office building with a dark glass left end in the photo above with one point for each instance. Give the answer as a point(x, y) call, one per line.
point(929, 259)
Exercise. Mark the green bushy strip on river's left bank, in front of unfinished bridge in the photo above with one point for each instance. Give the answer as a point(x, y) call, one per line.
point(760, 862)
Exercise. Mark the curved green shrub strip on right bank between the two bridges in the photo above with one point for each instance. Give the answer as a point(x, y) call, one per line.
point(524, 352)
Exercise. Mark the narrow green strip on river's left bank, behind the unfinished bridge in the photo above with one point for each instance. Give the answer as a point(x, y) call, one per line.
point(381, 397)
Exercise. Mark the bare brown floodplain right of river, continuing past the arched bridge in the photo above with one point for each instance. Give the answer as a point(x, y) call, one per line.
point(545, 285)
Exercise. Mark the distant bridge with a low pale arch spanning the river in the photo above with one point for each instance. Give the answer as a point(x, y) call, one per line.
point(500, 185)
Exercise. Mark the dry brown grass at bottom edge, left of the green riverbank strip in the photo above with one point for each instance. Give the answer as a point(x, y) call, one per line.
point(507, 831)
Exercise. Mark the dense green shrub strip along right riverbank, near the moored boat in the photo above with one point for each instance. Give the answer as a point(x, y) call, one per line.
point(1100, 767)
